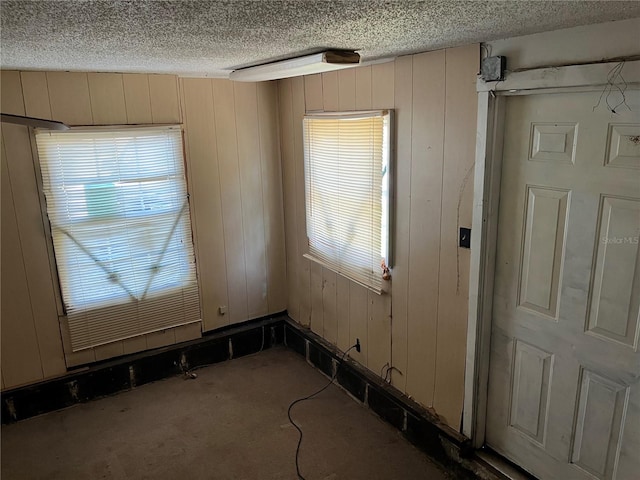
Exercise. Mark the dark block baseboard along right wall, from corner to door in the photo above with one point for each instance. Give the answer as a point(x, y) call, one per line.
point(420, 426)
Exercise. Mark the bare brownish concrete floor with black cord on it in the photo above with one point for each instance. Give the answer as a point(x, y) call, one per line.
point(229, 423)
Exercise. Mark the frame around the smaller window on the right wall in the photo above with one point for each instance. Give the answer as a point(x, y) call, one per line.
point(387, 202)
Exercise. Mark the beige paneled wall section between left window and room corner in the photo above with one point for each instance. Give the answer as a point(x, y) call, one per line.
point(235, 180)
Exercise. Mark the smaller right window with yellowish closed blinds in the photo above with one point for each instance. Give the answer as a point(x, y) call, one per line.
point(347, 180)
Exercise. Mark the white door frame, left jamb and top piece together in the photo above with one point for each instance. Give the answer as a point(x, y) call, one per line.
point(486, 203)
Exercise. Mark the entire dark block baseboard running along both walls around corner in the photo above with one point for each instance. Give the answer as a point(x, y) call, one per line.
point(420, 426)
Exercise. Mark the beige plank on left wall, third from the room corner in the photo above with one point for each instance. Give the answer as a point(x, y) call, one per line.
point(231, 195)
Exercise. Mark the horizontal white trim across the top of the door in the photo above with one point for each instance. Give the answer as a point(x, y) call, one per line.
point(591, 76)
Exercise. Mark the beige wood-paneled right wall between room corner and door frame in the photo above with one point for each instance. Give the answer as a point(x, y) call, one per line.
point(419, 327)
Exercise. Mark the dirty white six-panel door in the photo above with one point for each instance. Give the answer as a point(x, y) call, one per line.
point(564, 382)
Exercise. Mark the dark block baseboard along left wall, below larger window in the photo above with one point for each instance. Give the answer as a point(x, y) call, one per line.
point(129, 371)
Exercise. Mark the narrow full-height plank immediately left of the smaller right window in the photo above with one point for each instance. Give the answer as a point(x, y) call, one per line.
point(298, 110)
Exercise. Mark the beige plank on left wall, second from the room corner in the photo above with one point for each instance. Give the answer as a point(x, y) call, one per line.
point(246, 105)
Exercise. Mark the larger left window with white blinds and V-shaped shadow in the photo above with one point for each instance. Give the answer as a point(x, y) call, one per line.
point(118, 207)
